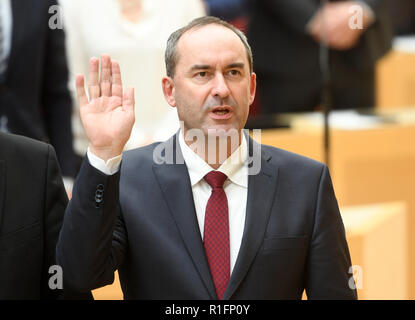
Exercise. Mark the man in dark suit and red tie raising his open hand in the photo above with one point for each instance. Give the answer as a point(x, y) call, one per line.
point(179, 223)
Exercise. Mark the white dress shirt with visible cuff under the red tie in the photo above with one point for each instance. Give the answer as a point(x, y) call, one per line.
point(236, 187)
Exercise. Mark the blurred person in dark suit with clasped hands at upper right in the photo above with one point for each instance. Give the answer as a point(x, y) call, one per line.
point(285, 36)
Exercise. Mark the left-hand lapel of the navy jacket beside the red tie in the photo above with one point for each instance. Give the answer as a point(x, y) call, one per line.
point(174, 181)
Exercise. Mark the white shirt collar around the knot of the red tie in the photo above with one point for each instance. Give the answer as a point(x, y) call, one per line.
point(234, 167)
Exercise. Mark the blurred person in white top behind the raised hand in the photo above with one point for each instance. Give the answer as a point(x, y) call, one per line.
point(133, 32)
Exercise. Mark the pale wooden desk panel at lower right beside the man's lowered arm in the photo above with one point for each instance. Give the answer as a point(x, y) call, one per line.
point(377, 238)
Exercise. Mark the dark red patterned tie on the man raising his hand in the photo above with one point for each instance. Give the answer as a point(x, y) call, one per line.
point(216, 232)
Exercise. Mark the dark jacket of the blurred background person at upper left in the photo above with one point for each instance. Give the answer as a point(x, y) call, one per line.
point(34, 94)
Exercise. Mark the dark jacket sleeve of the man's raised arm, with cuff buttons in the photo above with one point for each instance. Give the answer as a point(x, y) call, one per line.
point(92, 242)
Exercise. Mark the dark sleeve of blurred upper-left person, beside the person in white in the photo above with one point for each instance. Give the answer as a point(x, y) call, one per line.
point(56, 99)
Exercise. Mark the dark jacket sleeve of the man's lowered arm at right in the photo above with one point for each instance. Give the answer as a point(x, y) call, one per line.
point(327, 275)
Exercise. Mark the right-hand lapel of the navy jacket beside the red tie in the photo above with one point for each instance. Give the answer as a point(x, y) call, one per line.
point(261, 196)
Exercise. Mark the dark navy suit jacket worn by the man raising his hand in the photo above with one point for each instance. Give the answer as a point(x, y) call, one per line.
point(142, 221)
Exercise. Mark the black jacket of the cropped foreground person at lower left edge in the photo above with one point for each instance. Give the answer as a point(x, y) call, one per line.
point(32, 204)
